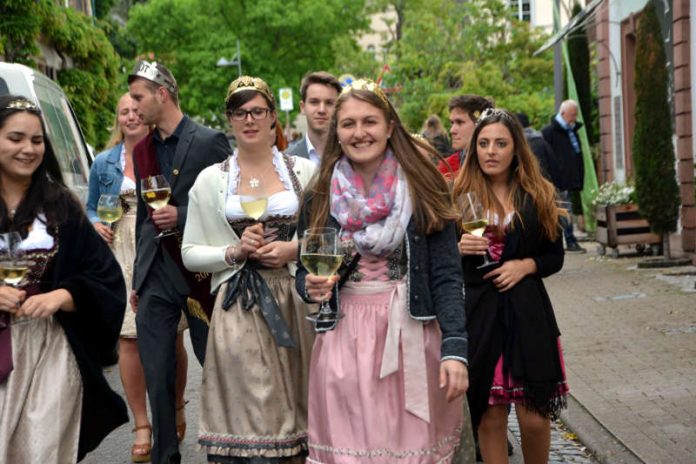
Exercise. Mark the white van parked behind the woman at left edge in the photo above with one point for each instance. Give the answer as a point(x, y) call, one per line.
point(74, 155)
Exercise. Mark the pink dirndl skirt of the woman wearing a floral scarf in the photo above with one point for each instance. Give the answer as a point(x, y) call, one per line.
point(359, 415)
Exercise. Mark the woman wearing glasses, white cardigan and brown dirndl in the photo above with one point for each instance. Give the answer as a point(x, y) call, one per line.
point(241, 227)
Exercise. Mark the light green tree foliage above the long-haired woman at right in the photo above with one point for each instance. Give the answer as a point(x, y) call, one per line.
point(451, 48)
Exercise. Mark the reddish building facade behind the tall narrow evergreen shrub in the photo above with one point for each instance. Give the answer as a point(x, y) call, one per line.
point(615, 38)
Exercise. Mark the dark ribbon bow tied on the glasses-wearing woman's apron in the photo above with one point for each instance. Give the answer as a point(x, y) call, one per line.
point(249, 284)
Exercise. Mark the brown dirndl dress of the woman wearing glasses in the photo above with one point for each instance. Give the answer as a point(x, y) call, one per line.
point(254, 392)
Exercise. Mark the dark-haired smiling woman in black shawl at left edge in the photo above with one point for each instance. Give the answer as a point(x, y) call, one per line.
point(51, 333)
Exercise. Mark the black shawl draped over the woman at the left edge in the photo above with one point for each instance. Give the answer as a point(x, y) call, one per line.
point(86, 267)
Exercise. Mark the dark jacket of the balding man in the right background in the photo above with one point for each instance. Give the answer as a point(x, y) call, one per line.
point(571, 170)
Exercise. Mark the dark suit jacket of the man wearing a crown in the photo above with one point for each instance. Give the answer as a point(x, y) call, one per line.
point(197, 148)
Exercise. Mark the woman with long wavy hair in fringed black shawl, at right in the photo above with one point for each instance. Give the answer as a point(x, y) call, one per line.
point(514, 349)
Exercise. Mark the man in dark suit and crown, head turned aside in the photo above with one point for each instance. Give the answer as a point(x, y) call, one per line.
point(179, 149)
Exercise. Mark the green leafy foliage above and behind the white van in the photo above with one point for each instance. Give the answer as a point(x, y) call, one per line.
point(91, 84)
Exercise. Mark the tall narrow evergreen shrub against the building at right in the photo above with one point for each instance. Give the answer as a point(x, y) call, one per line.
point(653, 153)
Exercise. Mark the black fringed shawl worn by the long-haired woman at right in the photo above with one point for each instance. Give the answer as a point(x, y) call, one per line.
point(519, 322)
